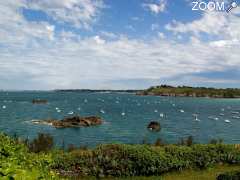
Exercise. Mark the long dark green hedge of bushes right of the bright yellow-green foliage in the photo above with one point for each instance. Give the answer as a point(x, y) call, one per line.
point(143, 160)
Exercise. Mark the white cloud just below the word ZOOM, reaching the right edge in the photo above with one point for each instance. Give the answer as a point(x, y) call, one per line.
point(212, 23)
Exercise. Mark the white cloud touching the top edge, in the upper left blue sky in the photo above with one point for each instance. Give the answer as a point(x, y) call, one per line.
point(80, 13)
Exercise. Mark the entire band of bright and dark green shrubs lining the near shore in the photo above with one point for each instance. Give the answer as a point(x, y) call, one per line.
point(37, 159)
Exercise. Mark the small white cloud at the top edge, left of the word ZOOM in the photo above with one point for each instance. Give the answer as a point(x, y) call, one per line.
point(156, 7)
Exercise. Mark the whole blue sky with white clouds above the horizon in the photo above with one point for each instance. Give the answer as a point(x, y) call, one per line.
point(116, 44)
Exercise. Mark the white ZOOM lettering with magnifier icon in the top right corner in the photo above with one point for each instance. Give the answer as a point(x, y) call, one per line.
point(213, 6)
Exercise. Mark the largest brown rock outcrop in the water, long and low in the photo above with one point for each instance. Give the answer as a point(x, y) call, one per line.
point(71, 122)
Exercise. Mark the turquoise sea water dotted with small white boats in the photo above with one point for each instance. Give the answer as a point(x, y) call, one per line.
point(125, 117)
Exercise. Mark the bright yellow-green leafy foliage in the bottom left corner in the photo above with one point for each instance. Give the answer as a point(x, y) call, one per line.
point(17, 163)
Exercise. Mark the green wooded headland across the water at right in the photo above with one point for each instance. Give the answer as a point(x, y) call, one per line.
point(186, 91)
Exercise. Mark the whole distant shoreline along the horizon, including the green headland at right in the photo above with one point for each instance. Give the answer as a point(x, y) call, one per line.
point(162, 90)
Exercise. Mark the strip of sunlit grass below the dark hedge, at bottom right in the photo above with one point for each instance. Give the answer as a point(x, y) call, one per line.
point(207, 174)
